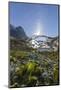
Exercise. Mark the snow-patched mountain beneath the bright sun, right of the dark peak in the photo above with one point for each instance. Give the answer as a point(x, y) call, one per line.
point(50, 44)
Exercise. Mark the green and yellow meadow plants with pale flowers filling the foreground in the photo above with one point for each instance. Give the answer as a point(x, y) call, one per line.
point(33, 68)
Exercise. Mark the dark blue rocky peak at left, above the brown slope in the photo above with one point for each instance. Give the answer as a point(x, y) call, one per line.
point(17, 32)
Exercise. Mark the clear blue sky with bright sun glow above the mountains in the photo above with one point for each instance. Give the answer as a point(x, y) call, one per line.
point(34, 18)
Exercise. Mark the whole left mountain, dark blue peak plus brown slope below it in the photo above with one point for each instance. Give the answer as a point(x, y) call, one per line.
point(18, 38)
